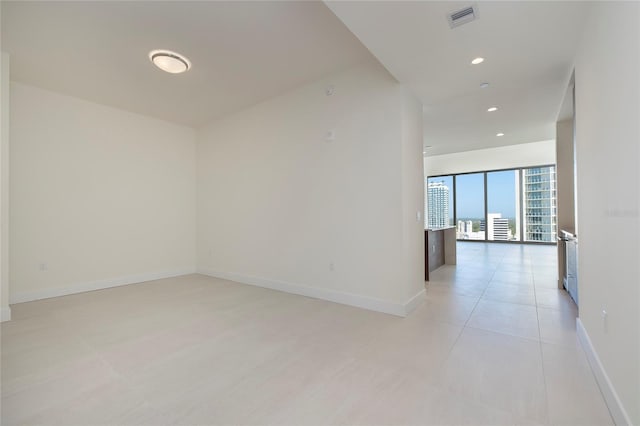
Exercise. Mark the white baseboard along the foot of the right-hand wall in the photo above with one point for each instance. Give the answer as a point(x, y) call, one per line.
point(619, 414)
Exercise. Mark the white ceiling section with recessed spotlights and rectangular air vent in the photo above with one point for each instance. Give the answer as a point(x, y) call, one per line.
point(528, 49)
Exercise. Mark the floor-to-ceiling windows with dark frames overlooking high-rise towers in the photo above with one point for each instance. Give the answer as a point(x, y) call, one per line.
point(505, 205)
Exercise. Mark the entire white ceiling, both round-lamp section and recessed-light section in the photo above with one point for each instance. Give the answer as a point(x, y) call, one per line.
point(247, 52)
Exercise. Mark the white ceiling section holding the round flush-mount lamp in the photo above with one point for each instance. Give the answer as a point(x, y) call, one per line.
point(242, 52)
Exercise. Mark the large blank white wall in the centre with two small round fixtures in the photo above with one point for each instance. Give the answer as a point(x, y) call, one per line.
point(279, 206)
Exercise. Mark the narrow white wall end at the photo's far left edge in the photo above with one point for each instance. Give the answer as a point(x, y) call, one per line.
point(5, 310)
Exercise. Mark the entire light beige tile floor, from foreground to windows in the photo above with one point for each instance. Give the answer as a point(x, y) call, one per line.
point(493, 344)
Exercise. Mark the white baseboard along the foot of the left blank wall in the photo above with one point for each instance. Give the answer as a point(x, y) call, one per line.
point(96, 285)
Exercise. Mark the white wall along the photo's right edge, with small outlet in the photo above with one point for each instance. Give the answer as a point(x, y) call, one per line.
point(608, 183)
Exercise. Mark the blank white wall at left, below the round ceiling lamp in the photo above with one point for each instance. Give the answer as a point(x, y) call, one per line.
point(99, 196)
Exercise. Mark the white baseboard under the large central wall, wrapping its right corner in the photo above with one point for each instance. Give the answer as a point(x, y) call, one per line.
point(370, 303)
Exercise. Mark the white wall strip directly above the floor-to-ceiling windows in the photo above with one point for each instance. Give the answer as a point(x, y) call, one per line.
point(504, 157)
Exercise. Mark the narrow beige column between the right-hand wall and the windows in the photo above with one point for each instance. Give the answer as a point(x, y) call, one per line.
point(564, 189)
